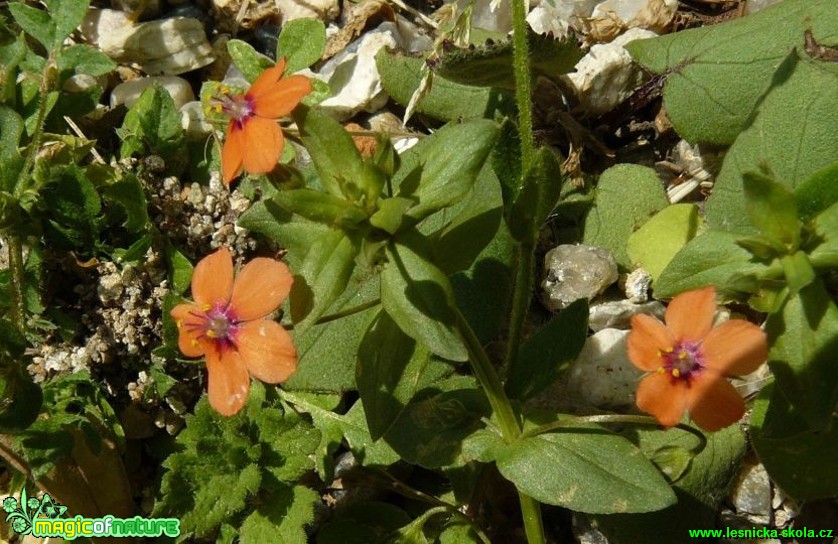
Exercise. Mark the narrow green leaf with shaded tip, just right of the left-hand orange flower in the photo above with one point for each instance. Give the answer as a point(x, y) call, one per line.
point(322, 277)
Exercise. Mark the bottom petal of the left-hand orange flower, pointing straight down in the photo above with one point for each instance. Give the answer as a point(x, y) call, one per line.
point(229, 382)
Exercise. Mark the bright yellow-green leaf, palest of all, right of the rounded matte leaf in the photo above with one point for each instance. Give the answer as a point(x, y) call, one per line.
point(655, 244)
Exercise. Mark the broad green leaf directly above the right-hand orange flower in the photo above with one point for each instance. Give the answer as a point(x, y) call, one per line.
point(712, 258)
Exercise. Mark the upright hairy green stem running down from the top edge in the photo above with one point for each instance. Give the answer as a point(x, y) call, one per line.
point(523, 82)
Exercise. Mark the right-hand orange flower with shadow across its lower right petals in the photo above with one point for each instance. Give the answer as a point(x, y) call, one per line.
point(690, 360)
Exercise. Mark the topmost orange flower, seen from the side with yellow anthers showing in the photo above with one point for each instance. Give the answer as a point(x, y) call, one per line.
point(254, 140)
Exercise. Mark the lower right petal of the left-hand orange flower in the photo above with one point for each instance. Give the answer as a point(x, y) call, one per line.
point(267, 350)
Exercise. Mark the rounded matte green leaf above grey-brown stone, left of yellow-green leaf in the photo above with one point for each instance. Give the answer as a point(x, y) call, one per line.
point(626, 196)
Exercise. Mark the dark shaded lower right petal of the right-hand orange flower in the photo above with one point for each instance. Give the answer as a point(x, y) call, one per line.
point(714, 403)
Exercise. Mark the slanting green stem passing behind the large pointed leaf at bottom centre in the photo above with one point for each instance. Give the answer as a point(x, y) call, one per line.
point(508, 423)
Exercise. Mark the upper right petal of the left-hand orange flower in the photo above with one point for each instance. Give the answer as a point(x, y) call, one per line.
point(260, 287)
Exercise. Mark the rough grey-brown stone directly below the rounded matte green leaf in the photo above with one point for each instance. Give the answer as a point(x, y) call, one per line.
point(572, 272)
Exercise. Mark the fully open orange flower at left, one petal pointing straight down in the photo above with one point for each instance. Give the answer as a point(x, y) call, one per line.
point(227, 325)
